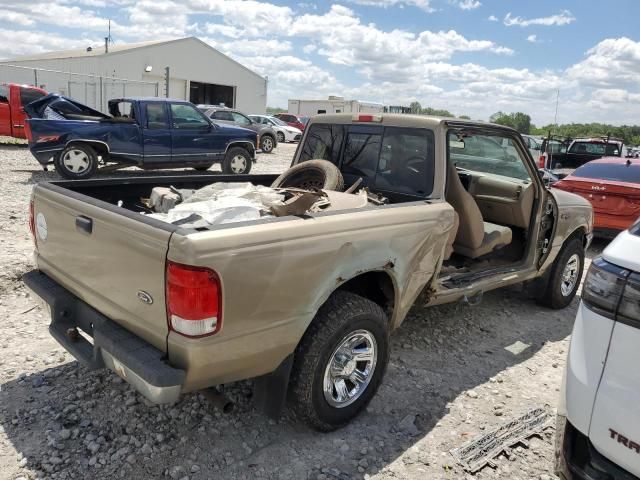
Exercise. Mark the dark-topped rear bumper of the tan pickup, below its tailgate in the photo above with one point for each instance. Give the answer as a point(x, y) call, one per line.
point(113, 347)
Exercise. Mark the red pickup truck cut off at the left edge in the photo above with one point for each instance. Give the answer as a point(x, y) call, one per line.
point(13, 98)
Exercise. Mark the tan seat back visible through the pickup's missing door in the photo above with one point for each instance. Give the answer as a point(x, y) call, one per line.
point(471, 228)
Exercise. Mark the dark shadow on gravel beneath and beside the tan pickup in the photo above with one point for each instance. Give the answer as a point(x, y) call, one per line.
point(85, 424)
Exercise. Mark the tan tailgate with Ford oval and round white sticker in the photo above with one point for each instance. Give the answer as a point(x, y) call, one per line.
point(106, 257)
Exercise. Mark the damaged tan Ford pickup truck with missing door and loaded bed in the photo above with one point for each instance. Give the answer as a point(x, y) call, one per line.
point(303, 304)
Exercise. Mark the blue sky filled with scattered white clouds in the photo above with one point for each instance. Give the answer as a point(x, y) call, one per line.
point(469, 56)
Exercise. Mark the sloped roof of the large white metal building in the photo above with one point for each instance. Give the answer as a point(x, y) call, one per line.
point(98, 51)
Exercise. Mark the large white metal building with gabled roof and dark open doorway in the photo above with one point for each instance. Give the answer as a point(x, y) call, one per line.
point(198, 73)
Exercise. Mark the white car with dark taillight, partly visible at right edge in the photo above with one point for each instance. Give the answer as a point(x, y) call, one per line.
point(598, 435)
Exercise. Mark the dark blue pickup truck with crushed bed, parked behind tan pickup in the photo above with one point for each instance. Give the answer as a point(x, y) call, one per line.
point(149, 133)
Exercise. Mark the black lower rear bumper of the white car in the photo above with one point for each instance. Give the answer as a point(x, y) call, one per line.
point(577, 459)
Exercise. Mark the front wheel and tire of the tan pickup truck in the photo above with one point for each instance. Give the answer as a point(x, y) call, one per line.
point(566, 274)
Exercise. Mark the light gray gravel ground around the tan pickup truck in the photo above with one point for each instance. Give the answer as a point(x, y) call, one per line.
point(449, 379)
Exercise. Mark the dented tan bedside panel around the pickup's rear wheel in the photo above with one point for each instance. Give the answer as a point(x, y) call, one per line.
point(275, 276)
